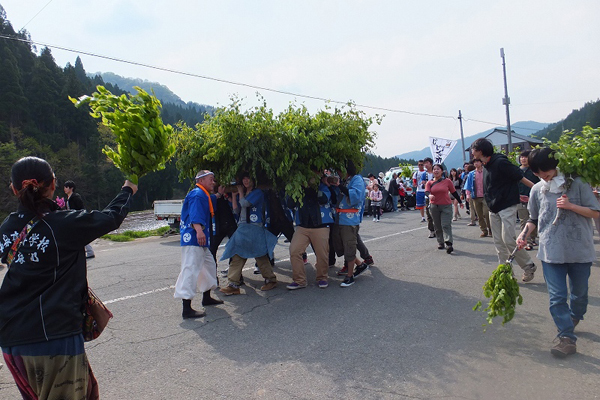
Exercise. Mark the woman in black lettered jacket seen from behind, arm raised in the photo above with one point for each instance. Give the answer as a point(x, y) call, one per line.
point(44, 290)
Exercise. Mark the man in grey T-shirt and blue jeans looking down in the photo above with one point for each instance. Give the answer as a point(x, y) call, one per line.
point(566, 248)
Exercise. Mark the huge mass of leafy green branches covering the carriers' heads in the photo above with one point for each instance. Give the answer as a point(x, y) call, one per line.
point(285, 152)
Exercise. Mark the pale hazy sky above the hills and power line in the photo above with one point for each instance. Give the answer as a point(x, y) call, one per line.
point(420, 61)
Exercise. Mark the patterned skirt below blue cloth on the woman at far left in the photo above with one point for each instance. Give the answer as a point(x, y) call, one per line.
point(56, 369)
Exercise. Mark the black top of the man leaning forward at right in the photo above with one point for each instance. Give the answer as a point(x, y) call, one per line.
point(501, 183)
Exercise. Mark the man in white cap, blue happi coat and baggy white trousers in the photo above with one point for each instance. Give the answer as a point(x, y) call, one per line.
point(198, 267)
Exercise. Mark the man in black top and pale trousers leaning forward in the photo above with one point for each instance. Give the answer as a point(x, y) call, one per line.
point(501, 192)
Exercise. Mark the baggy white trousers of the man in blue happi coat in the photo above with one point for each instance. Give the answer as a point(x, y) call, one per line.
point(198, 272)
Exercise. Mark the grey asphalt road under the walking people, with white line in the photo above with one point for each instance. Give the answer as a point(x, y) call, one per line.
point(405, 330)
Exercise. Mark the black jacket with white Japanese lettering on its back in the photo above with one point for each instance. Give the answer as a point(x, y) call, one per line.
point(43, 291)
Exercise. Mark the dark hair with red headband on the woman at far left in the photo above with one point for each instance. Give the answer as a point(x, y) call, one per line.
point(31, 177)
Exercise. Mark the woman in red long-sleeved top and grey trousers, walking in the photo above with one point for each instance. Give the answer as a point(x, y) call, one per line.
point(441, 207)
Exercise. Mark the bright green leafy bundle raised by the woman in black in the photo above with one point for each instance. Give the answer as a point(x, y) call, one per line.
point(143, 141)
